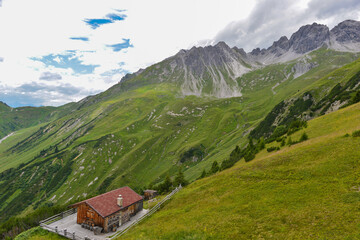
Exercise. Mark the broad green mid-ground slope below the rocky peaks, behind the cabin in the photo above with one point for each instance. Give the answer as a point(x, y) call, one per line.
point(136, 137)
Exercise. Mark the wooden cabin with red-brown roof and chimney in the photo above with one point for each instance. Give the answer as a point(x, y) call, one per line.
point(109, 210)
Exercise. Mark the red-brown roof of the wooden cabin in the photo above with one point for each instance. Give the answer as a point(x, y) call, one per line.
point(106, 204)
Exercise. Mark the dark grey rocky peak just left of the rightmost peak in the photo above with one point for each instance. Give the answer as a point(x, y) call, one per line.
point(309, 37)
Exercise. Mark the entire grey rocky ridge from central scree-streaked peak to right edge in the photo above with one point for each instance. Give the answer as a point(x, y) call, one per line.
point(214, 70)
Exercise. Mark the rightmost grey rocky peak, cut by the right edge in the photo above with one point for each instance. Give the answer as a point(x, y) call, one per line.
point(347, 31)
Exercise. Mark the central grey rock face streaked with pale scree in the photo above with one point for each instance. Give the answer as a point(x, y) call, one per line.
point(209, 70)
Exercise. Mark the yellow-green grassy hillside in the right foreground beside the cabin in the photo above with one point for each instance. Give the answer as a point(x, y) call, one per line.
point(307, 191)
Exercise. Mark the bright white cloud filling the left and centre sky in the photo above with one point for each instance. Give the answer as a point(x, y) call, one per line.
point(156, 29)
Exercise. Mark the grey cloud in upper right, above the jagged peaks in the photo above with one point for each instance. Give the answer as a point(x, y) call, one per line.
point(271, 19)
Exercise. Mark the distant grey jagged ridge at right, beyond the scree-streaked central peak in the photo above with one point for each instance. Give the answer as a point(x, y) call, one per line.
point(343, 37)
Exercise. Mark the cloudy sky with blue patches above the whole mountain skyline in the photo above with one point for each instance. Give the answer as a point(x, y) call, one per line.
point(54, 52)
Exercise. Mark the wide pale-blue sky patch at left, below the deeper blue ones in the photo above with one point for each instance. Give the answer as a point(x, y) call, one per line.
point(68, 60)
